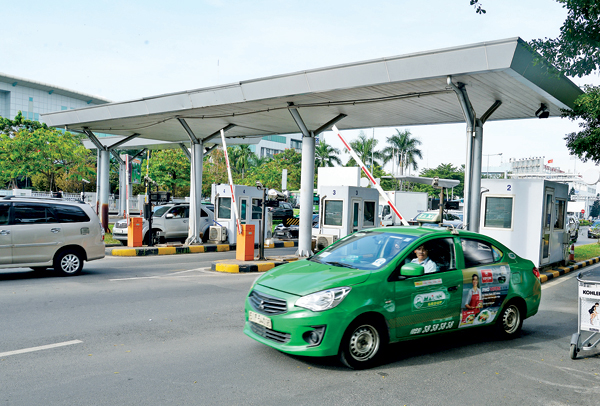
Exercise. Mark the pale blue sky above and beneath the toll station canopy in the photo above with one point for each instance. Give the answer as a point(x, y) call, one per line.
point(125, 50)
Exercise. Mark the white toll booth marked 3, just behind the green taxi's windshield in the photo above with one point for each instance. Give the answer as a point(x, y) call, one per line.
point(344, 210)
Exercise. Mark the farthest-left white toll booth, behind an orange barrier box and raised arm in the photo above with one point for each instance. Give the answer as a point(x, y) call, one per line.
point(249, 205)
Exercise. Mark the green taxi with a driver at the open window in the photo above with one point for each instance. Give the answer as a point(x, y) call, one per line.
point(385, 285)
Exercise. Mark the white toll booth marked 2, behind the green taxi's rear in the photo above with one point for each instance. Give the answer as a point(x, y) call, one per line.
point(529, 216)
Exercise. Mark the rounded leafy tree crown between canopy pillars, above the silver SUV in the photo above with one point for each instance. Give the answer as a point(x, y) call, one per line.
point(170, 168)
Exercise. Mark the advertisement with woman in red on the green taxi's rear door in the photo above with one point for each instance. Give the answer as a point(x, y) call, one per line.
point(484, 290)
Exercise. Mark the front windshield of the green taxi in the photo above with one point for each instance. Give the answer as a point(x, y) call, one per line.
point(364, 250)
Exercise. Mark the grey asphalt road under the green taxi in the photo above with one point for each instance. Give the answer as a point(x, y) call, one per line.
point(168, 331)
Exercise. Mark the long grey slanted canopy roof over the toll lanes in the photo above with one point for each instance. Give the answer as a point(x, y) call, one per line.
point(396, 91)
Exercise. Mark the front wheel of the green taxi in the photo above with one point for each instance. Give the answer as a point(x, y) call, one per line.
point(362, 345)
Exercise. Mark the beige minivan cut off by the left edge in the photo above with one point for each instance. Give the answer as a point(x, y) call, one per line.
point(49, 233)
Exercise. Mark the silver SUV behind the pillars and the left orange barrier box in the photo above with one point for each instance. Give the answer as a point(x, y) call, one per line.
point(170, 222)
